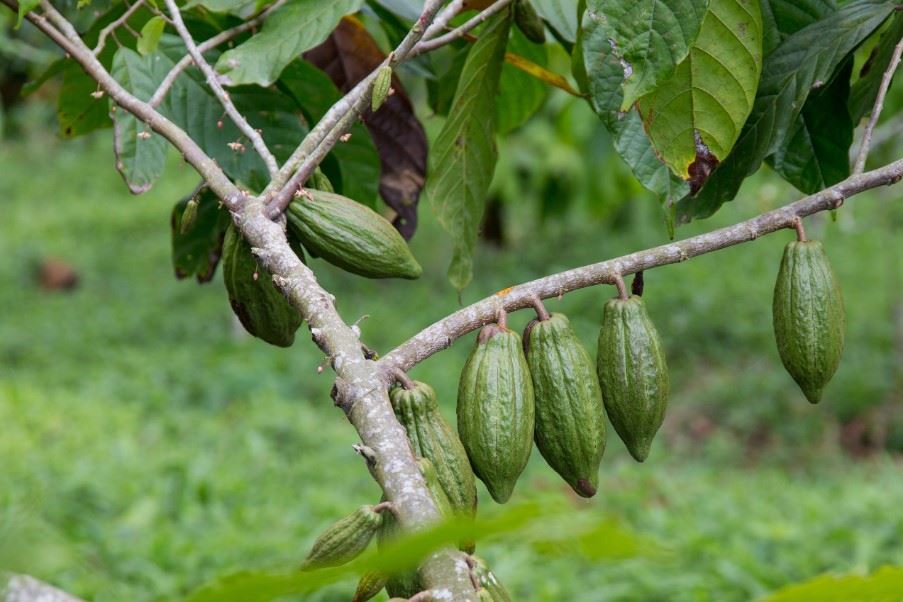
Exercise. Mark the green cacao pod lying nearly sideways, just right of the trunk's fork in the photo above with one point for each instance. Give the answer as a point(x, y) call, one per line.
point(350, 236)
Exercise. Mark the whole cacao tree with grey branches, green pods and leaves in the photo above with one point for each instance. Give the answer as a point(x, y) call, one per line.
point(296, 117)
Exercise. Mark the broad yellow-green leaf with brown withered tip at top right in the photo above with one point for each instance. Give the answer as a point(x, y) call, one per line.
point(695, 116)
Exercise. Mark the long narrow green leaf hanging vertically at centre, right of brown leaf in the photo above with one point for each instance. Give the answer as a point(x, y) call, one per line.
point(463, 158)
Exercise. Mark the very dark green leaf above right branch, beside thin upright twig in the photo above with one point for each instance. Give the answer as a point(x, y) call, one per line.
point(816, 152)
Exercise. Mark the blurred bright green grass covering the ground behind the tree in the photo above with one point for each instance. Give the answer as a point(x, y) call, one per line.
point(148, 445)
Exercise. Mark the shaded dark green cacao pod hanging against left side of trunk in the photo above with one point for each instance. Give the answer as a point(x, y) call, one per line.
point(261, 308)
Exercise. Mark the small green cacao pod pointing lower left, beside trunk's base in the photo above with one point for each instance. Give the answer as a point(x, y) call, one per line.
point(344, 540)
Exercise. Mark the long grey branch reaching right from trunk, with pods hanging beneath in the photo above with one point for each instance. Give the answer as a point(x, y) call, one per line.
point(442, 333)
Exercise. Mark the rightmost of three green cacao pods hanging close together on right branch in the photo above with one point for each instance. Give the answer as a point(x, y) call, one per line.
point(633, 373)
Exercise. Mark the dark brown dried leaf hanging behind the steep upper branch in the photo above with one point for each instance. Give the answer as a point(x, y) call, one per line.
point(348, 55)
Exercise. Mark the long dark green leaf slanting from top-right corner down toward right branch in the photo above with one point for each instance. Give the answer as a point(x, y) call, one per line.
point(809, 56)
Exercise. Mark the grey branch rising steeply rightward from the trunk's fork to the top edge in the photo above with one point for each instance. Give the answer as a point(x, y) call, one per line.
point(337, 121)
